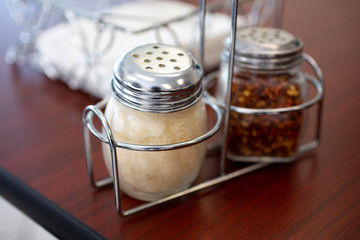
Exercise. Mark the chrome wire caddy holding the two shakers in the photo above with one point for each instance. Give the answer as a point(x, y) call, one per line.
point(221, 110)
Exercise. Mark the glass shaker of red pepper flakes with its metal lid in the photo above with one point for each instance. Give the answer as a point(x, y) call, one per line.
point(267, 75)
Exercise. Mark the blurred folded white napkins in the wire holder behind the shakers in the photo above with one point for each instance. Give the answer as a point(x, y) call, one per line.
point(82, 52)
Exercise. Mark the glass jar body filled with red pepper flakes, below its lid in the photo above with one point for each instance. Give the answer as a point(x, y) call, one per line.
point(264, 137)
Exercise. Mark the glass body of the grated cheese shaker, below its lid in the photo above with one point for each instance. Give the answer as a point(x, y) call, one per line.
point(151, 175)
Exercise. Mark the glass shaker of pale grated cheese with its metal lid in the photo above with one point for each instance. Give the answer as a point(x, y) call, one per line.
point(156, 99)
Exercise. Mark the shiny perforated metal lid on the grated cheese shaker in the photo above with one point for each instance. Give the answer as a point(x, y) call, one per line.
point(157, 78)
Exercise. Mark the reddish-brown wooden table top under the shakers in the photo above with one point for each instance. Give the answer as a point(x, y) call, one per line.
point(316, 197)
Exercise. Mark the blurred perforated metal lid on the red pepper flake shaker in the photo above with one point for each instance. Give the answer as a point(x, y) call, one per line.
point(265, 48)
